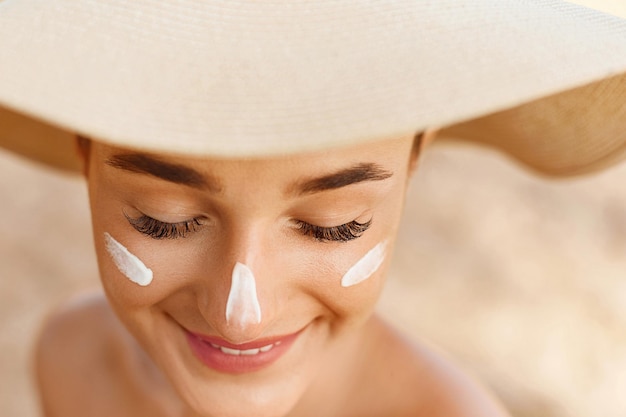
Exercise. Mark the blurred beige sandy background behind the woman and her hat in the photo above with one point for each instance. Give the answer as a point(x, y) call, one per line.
point(519, 279)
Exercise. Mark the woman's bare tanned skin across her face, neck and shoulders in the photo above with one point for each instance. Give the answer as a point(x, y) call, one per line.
point(128, 355)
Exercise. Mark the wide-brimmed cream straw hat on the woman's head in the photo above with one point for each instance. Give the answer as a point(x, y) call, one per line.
point(543, 80)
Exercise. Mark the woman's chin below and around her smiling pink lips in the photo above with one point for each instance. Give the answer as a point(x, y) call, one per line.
point(273, 391)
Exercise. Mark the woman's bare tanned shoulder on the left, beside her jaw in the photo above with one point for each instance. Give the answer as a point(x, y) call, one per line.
point(86, 363)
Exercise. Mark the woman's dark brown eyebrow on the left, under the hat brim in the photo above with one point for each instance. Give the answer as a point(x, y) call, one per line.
point(178, 174)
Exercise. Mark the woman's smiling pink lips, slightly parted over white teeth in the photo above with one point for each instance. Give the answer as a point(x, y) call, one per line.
point(222, 356)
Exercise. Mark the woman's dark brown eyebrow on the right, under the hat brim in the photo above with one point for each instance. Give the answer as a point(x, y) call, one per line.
point(355, 174)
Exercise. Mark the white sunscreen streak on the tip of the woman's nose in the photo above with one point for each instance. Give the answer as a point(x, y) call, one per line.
point(242, 307)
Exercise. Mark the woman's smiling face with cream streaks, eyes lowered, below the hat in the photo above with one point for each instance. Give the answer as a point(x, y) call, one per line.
point(259, 270)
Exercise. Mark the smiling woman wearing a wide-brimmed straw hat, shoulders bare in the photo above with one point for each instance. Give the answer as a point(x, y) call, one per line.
point(247, 165)
